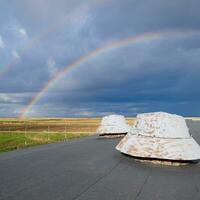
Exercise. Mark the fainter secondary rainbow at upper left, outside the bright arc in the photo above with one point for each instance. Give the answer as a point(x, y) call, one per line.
point(38, 39)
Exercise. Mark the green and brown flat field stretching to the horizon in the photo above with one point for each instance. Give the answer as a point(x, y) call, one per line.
point(20, 133)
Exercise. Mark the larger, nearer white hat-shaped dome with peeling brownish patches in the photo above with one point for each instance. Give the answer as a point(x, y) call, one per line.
point(160, 135)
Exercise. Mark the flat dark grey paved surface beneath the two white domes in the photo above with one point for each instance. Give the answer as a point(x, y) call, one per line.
point(91, 169)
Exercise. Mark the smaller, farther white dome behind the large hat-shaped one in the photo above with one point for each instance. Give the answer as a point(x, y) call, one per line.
point(113, 125)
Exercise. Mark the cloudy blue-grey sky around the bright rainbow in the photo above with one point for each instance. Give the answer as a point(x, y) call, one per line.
point(39, 38)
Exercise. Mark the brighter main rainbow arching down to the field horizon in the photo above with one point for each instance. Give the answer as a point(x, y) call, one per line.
point(140, 38)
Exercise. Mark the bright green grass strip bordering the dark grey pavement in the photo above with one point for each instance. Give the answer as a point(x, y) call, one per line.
point(18, 140)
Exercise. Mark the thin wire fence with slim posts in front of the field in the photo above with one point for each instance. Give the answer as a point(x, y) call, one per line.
point(24, 134)
